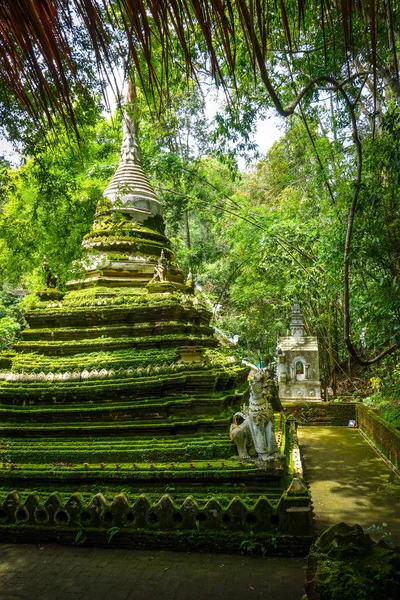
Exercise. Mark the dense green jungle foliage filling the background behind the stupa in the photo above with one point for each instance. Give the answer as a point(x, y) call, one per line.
point(317, 218)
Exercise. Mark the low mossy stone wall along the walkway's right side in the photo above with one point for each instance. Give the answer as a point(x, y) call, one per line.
point(384, 436)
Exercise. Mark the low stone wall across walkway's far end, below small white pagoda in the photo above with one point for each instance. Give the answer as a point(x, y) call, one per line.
point(321, 413)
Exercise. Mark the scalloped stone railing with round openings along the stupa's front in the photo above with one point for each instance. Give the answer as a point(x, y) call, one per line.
point(292, 515)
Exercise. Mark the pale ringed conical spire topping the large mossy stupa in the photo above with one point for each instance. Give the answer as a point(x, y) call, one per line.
point(129, 189)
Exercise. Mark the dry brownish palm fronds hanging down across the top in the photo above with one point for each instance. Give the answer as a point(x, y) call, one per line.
point(37, 59)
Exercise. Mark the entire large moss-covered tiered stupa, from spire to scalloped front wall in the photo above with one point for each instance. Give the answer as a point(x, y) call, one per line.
point(116, 402)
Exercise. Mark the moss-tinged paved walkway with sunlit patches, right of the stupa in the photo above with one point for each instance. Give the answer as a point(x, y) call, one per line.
point(348, 480)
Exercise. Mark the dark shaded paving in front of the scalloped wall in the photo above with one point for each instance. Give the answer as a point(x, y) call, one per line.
point(60, 573)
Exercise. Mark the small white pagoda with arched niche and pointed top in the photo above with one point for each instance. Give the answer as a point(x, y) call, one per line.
point(298, 362)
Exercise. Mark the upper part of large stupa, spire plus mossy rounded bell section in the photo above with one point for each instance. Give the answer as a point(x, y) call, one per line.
point(128, 238)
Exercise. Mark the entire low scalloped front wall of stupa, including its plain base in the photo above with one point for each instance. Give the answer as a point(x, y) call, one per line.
point(282, 528)
